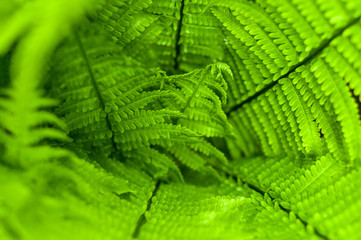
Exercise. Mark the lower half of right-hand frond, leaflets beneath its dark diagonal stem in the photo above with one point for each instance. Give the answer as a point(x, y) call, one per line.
point(315, 97)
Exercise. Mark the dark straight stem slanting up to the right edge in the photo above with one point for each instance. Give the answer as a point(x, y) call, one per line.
point(313, 54)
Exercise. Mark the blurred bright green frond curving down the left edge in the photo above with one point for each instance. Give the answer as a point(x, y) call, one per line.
point(38, 26)
